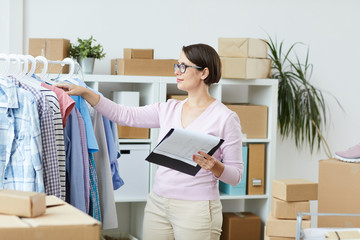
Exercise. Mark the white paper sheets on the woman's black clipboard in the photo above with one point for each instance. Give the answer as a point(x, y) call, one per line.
point(183, 144)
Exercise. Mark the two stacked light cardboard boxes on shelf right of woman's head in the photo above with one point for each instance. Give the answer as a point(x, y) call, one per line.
point(244, 58)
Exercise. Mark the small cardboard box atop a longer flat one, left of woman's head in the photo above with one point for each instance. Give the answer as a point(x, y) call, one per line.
point(141, 62)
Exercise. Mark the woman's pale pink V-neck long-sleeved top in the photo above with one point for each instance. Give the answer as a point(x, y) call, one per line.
point(216, 120)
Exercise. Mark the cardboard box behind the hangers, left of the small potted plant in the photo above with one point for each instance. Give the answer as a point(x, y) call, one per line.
point(52, 49)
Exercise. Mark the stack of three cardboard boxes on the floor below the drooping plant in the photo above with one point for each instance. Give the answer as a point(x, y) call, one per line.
point(290, 196)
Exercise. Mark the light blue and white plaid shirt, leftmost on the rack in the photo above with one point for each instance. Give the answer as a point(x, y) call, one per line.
point(20, 140)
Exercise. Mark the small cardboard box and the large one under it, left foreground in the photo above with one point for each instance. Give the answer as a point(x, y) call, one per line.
point(31, 215)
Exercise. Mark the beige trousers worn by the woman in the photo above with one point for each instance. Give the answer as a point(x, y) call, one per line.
point(169, 219)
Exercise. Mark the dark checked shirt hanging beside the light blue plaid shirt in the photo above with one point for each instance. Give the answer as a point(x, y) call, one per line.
point(49, 154)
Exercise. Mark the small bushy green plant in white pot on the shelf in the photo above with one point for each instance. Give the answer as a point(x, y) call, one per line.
point(85, 52)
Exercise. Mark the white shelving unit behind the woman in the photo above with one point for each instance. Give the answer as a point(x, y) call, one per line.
point(154, 89)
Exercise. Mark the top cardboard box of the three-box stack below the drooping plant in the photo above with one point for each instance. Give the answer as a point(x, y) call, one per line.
point(293, 190)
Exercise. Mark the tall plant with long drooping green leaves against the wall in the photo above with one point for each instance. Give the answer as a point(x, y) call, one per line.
point(301, 106)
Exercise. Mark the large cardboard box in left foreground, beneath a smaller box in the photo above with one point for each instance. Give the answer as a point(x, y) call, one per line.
point(60, 221)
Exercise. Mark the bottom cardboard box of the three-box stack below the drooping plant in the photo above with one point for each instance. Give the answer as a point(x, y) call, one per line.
point(283, 227)
